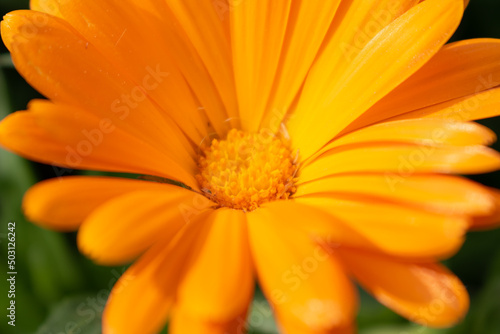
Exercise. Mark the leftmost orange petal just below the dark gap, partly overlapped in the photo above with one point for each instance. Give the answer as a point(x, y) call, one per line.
point(63, 203)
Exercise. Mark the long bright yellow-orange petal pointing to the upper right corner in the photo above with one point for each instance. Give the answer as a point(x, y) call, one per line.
point(406, 44)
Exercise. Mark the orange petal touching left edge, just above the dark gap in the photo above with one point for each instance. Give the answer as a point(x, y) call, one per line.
point(69, 137)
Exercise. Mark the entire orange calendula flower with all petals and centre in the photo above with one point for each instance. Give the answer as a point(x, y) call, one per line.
point(303, 144)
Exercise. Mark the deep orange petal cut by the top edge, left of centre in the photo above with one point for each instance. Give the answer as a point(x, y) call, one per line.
point(117, 29)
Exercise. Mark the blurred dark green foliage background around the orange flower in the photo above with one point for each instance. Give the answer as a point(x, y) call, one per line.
point(59, 291)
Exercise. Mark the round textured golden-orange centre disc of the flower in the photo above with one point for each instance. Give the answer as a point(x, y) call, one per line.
point(246, 170)
